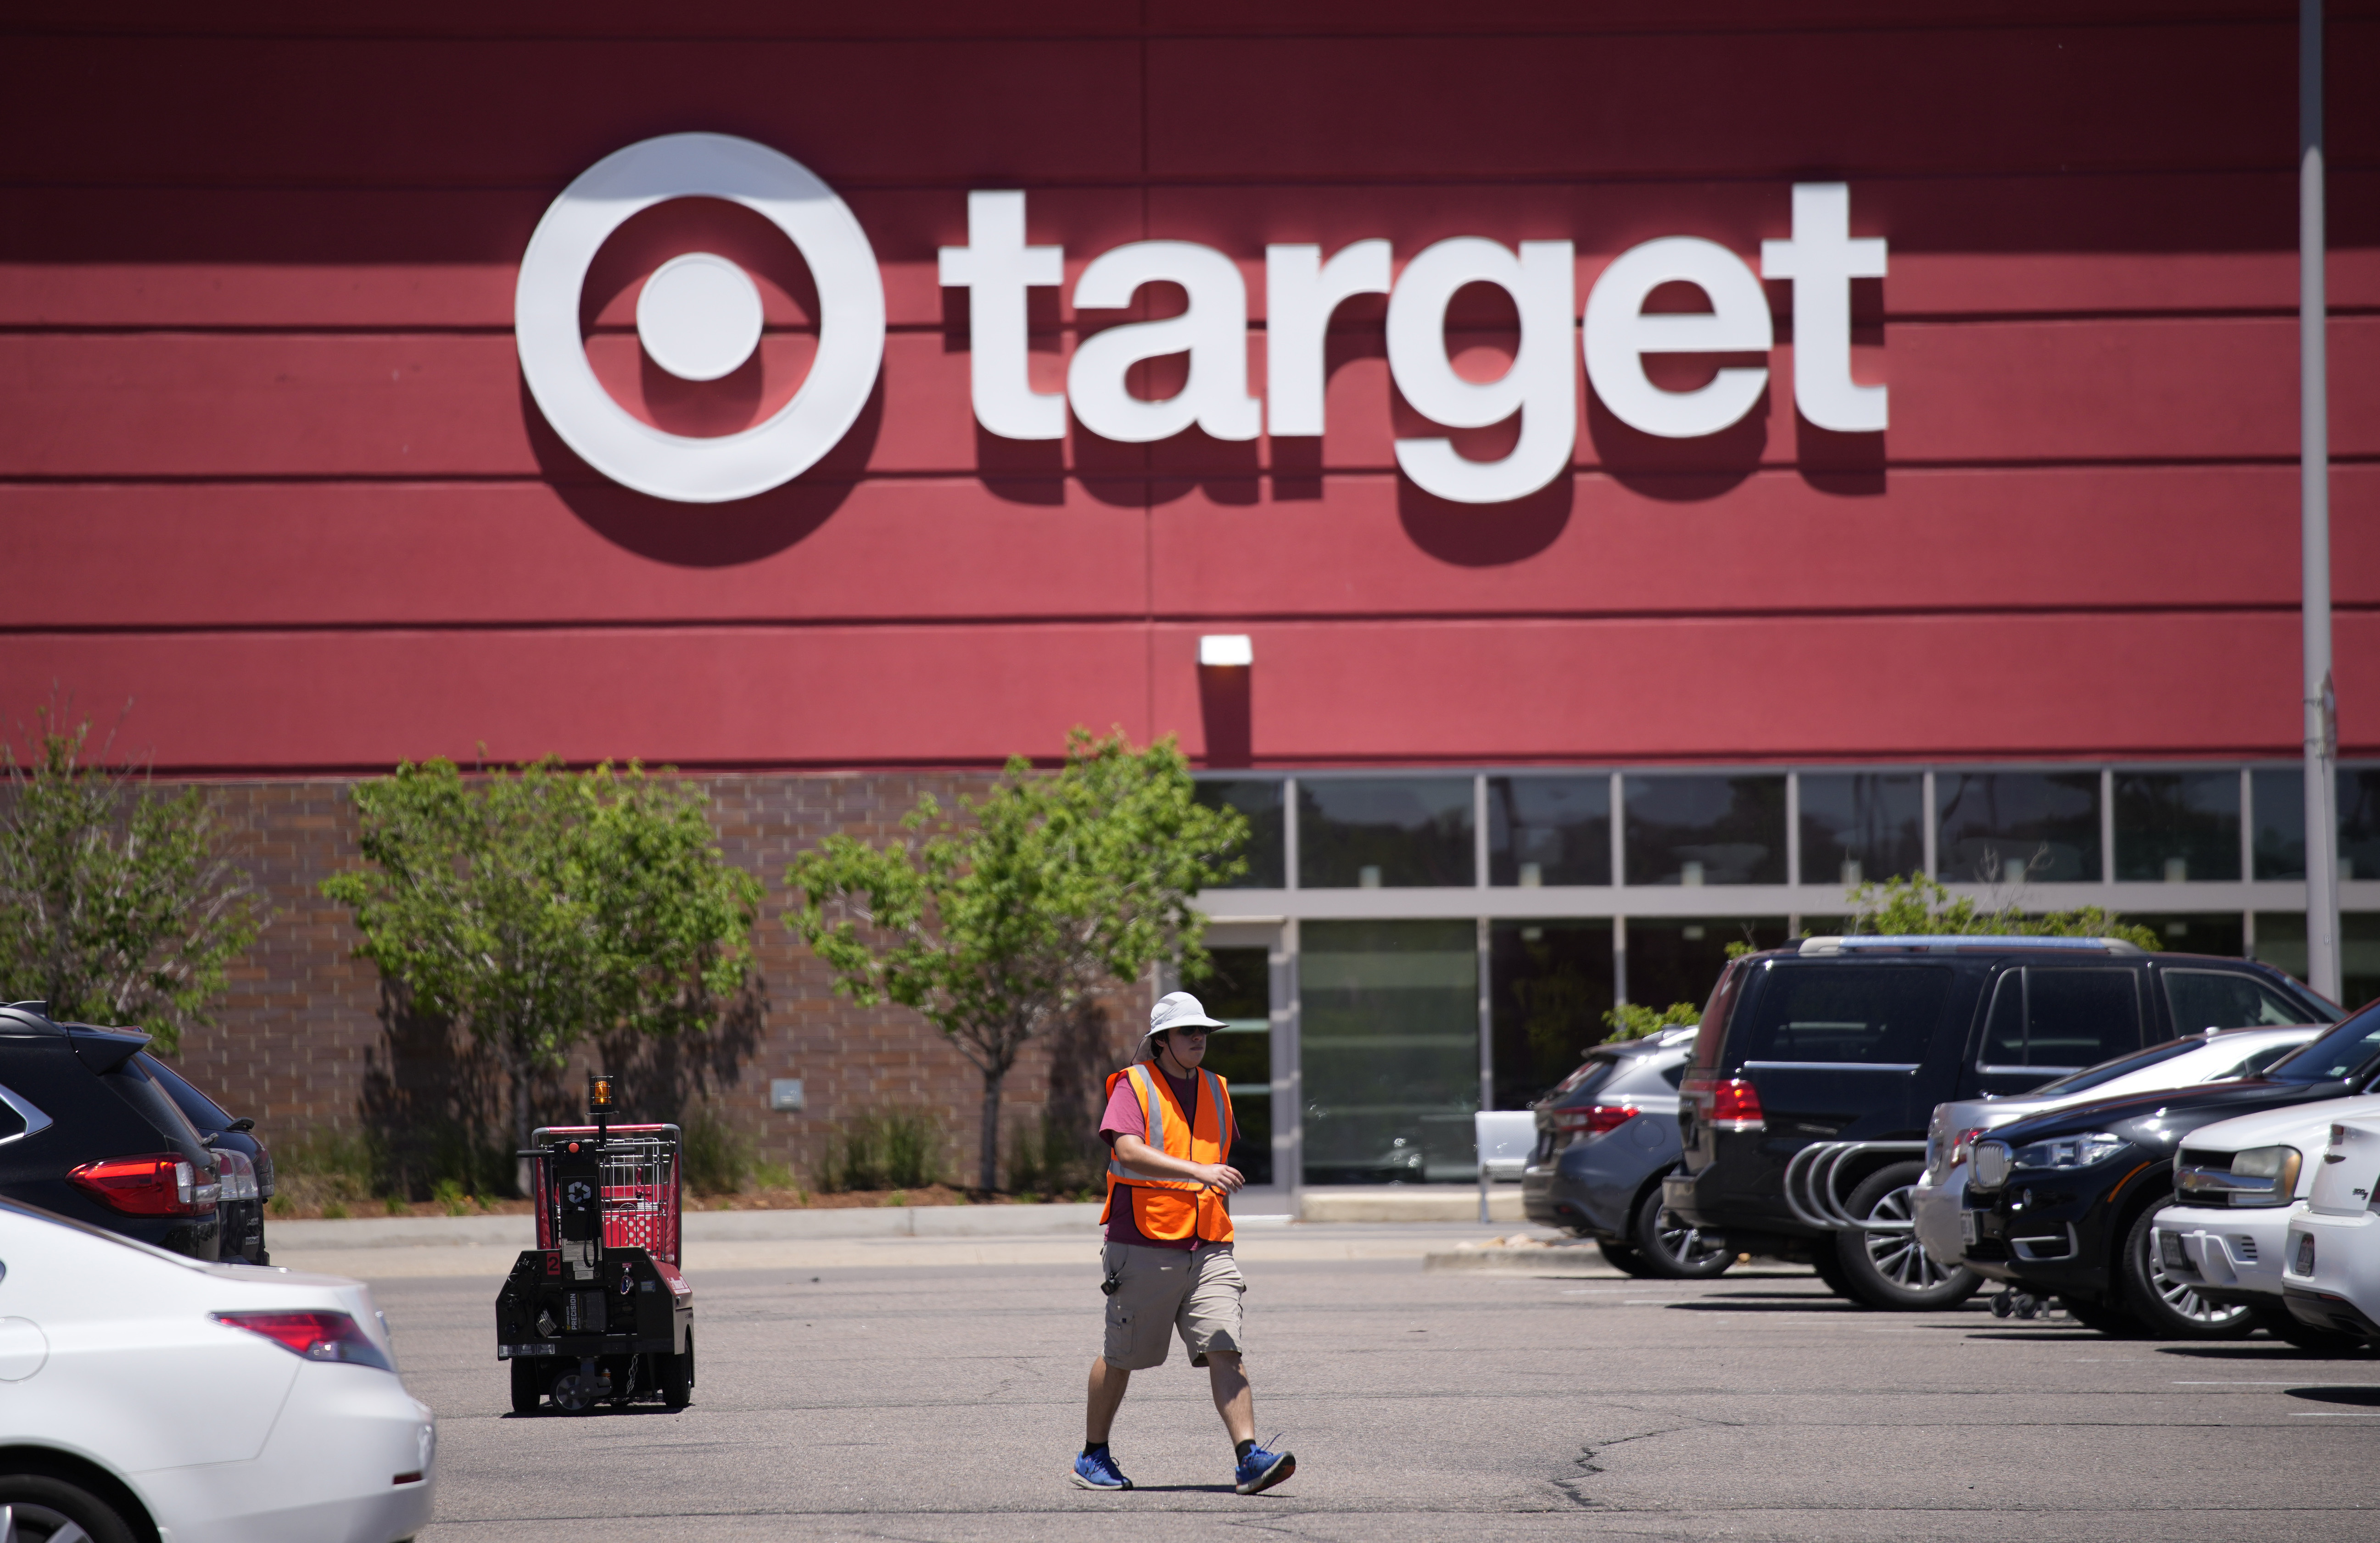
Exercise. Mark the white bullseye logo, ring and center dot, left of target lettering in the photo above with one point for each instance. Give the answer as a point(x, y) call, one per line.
point(701, 318)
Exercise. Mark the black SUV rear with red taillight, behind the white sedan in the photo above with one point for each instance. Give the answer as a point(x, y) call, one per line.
point(89, 1135)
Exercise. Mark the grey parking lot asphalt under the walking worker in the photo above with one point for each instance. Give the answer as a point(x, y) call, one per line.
point(934, 1401)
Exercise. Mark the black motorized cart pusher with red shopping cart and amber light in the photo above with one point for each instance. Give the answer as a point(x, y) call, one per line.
point(599, 1308)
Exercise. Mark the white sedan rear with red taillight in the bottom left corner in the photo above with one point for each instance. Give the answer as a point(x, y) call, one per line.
point(213, 1404)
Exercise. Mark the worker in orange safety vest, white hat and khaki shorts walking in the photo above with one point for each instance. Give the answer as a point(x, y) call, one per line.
point(1170, 1266)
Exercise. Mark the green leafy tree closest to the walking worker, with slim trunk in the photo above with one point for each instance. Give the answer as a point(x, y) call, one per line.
point(998, 923)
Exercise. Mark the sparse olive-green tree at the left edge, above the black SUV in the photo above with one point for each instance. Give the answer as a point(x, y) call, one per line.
point(115, 901)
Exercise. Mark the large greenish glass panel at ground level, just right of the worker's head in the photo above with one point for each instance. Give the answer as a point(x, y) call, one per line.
point(1391, 1047)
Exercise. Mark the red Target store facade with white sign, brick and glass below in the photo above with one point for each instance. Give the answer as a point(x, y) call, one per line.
point(1586, 487)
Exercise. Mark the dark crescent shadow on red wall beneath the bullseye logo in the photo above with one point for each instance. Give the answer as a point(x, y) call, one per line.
point(706, 537)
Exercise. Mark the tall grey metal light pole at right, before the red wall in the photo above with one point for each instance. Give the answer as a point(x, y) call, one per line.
point(2315, 494)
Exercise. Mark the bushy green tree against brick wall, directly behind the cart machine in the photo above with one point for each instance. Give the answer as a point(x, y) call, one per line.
point(544, 908)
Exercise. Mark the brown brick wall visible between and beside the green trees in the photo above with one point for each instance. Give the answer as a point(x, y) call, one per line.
point(303, 1027)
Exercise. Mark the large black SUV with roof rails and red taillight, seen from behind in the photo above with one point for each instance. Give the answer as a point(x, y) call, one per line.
point(1853, 1042)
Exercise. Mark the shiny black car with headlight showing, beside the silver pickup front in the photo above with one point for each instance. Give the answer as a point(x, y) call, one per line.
point(2062, 1204)
